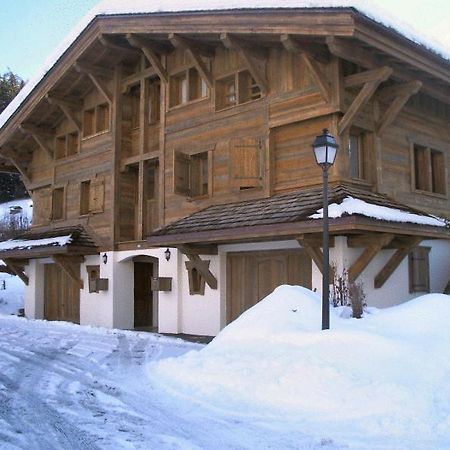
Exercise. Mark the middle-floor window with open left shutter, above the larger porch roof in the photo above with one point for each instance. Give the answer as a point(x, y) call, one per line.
point(191, 174)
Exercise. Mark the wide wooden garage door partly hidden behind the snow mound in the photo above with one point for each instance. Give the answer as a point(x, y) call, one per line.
point(253, 275)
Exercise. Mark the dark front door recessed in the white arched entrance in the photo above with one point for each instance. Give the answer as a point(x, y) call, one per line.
point(143, 295)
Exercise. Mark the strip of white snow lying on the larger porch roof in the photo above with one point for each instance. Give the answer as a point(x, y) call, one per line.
point(352, 205)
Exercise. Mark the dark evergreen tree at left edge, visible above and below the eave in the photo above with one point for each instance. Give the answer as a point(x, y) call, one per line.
point(11, 187)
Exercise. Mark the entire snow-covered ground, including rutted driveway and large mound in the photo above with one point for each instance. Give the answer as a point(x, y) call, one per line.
point(270, 380)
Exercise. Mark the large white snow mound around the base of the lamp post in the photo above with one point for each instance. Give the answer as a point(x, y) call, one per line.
point(384, 375)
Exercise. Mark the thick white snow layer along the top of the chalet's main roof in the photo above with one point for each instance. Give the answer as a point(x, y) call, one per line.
point(122, 7)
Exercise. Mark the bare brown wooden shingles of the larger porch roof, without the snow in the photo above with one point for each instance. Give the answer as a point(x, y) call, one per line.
point(267, 213)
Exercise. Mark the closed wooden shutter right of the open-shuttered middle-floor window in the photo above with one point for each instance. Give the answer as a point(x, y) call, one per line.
point(246, 157)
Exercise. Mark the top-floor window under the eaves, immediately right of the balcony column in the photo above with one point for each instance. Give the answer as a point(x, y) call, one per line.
point(186, 86)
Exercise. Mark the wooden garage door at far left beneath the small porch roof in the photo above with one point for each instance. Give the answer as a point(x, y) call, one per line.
point(61, 295)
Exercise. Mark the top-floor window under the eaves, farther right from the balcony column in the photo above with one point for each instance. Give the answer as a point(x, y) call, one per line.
point(236, 89)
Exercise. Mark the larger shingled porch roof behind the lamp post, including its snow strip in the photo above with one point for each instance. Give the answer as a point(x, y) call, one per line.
point(292, 214)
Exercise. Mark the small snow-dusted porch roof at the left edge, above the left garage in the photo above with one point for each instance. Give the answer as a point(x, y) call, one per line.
point(73, 240)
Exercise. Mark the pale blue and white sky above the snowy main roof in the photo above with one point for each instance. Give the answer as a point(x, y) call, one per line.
point(31, 29)
